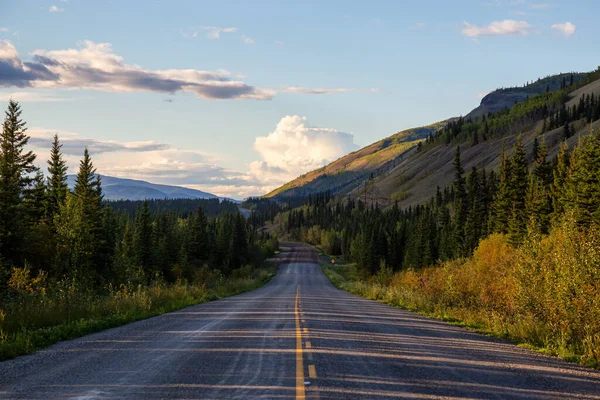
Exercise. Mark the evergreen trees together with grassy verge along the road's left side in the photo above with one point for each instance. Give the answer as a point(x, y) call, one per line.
point(72, 264)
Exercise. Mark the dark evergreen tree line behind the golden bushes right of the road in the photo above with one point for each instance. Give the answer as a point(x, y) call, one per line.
point(517, 200)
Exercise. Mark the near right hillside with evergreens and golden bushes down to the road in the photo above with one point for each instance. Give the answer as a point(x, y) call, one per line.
point(527, 206)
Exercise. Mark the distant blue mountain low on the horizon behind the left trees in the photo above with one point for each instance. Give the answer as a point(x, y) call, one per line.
point(131, 189)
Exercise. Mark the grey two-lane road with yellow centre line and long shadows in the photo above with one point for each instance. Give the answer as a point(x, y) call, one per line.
point(296, 337)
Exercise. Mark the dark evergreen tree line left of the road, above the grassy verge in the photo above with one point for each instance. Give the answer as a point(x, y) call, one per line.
point(73, 235)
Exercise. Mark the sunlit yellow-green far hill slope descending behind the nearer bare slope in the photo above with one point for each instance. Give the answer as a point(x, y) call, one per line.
point(352, 170)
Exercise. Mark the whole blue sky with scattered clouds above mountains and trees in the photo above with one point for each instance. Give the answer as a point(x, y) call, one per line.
point(238, 97)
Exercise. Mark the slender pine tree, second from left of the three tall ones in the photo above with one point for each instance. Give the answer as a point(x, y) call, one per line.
point(57, 180)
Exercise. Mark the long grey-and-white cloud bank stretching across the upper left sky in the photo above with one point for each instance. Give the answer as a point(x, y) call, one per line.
point(95, 66)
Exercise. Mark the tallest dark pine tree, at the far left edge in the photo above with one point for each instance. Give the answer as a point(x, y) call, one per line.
point(16, 165)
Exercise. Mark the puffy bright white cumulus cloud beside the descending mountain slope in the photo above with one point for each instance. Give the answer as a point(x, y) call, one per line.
point(296, 147)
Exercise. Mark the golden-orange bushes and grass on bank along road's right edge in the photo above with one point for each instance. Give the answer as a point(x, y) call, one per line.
point(545, 294)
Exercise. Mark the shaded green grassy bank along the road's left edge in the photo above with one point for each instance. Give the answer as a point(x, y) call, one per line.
point(35, 318)
